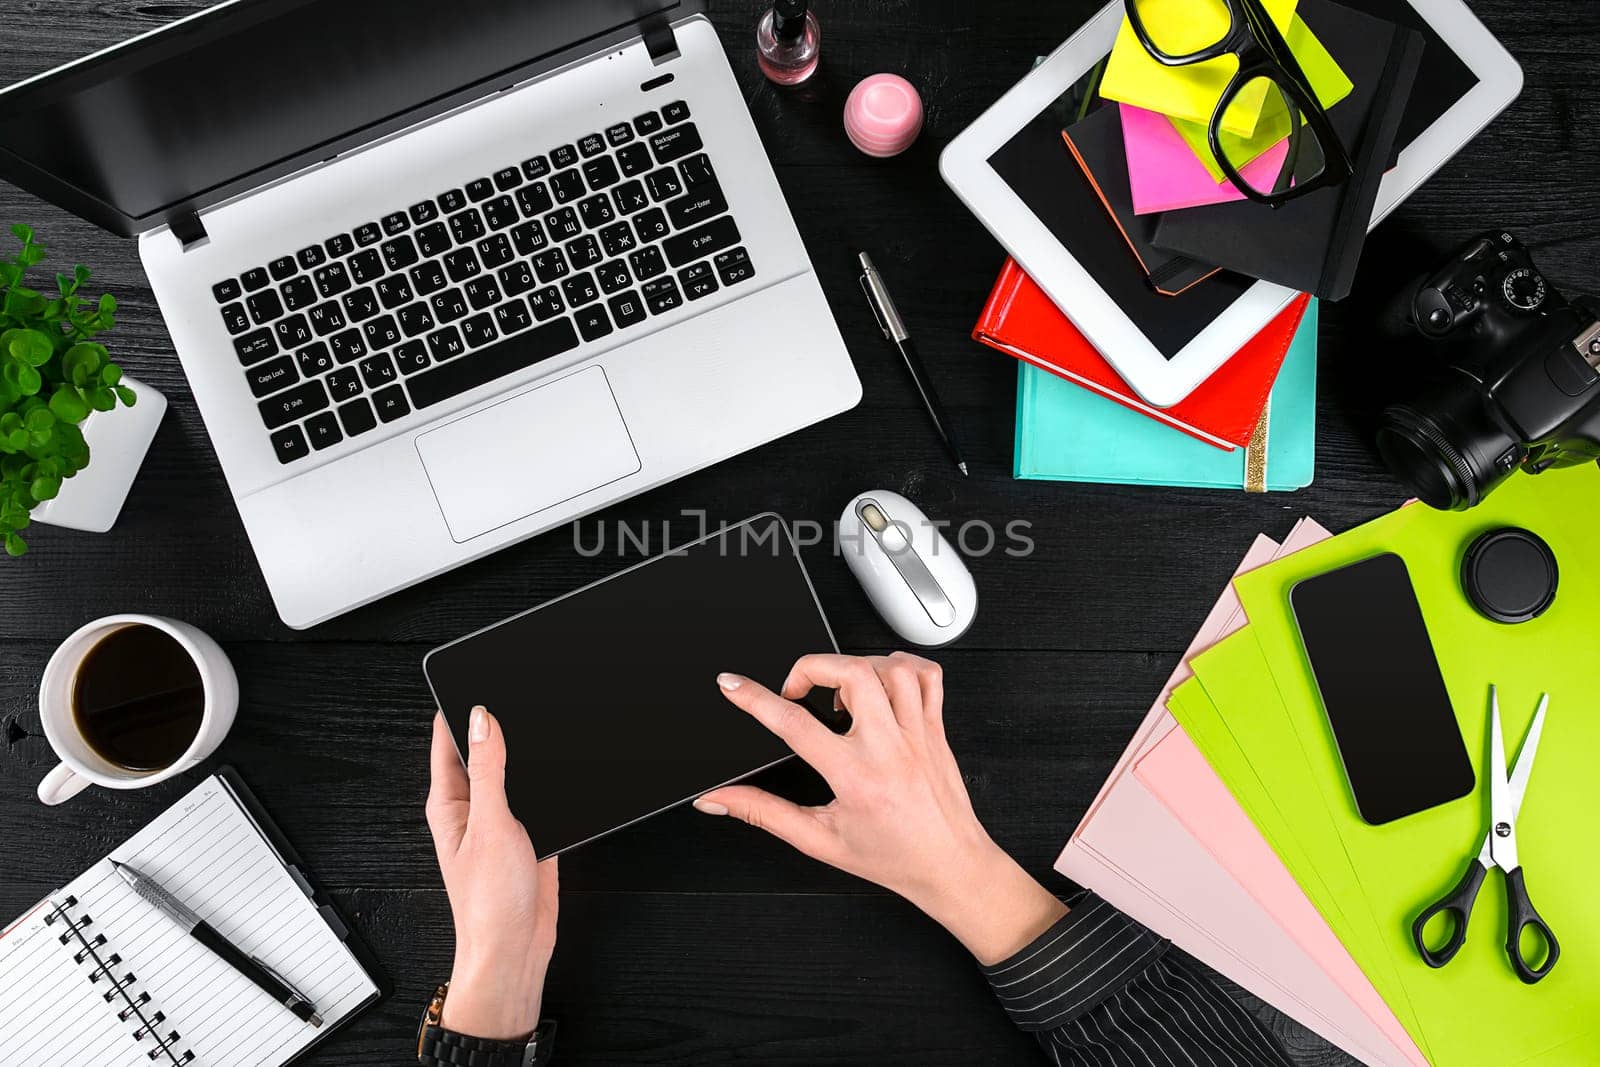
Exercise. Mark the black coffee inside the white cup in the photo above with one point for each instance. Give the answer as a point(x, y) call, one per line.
point(138, 698)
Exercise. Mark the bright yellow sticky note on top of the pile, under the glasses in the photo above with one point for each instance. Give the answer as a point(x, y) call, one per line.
point(1193, 92)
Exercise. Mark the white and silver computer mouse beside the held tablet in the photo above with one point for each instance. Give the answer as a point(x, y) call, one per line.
point(911, 572)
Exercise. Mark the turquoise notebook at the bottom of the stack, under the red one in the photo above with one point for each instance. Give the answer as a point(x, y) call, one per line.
point(1071, 434)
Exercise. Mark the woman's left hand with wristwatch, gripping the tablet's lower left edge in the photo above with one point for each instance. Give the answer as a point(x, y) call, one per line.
point(503, 898)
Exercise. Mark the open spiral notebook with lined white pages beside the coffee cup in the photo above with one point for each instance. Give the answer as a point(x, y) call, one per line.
point(114, 983)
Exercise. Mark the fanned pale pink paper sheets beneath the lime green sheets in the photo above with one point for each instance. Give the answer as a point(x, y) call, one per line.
point(1135, 853)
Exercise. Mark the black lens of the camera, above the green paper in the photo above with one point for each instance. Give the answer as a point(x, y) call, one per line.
point(1446, 450)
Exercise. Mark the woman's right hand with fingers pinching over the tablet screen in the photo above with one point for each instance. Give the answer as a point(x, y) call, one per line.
point(902, 817)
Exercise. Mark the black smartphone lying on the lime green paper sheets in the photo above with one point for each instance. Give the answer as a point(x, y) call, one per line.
point(1382, 689)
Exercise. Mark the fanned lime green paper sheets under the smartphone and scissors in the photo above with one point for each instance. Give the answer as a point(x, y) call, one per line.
point(1254, 711)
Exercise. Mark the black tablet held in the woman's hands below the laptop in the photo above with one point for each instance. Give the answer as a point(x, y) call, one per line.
point(609, 697)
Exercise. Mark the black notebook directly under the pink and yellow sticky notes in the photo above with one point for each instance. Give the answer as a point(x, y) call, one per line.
point(1314, 244)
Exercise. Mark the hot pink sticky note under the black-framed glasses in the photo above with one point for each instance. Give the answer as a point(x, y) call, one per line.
point(1166, 174)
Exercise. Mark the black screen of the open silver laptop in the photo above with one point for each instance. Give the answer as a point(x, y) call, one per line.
point(257, 89)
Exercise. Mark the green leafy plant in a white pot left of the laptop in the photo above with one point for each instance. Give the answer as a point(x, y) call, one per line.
point(60, 398)
